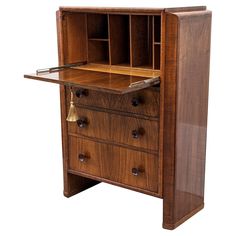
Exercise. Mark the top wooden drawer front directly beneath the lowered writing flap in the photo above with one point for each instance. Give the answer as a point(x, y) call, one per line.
point(143, 102)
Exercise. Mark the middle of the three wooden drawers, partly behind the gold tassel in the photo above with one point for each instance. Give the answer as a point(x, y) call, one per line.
point(127, 130)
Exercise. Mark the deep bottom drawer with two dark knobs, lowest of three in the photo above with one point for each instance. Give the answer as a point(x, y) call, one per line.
point(121, 165)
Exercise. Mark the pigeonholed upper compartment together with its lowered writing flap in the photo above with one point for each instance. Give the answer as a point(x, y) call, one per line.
point(117, 50)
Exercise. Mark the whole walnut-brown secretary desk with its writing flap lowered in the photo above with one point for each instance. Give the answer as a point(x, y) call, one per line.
point(138, 79)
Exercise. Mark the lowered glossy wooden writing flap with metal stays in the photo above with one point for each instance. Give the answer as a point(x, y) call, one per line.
point(109, 82)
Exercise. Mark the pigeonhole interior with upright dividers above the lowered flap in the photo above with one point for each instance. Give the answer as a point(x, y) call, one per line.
point(123, 40)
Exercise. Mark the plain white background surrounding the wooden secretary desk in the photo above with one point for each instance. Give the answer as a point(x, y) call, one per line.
point(31, 199)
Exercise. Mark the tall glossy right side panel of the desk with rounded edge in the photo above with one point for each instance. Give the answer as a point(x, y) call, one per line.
point(185, 114)
